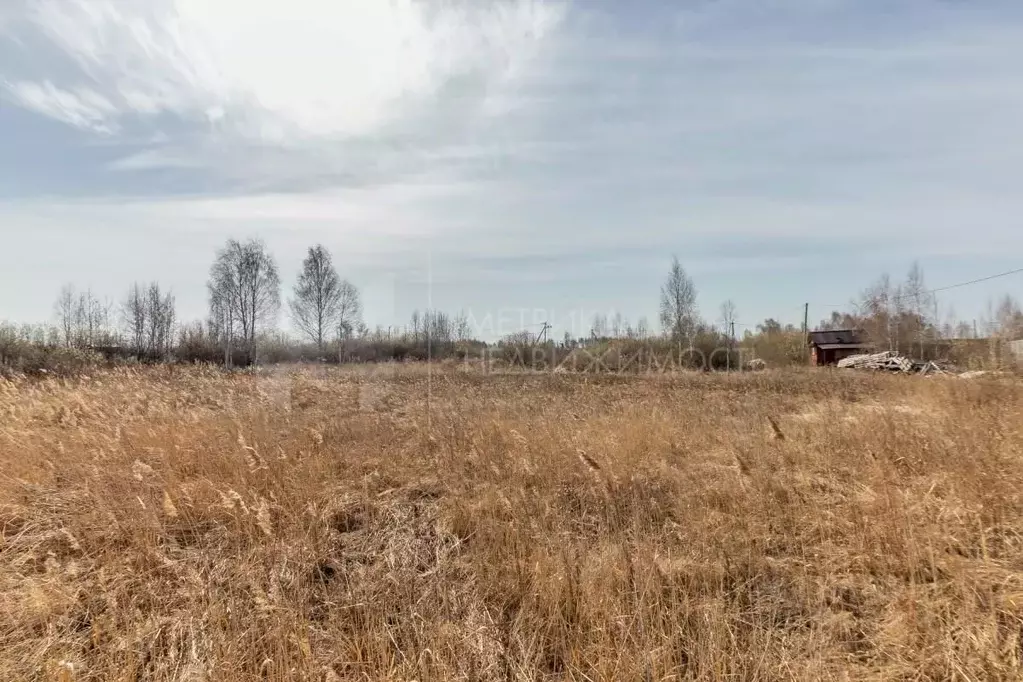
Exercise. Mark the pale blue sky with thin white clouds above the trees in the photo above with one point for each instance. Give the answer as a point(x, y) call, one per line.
point(516, 160)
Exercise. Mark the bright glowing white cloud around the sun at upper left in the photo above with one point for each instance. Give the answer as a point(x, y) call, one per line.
point(276, 72)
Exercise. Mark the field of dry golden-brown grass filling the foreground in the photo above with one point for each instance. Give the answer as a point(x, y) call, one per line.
point(186, 525)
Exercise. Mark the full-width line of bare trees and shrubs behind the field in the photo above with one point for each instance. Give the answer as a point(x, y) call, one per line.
point(245, 304)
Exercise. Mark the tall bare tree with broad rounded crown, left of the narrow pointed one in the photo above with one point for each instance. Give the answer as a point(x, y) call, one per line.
point(245, 291)
